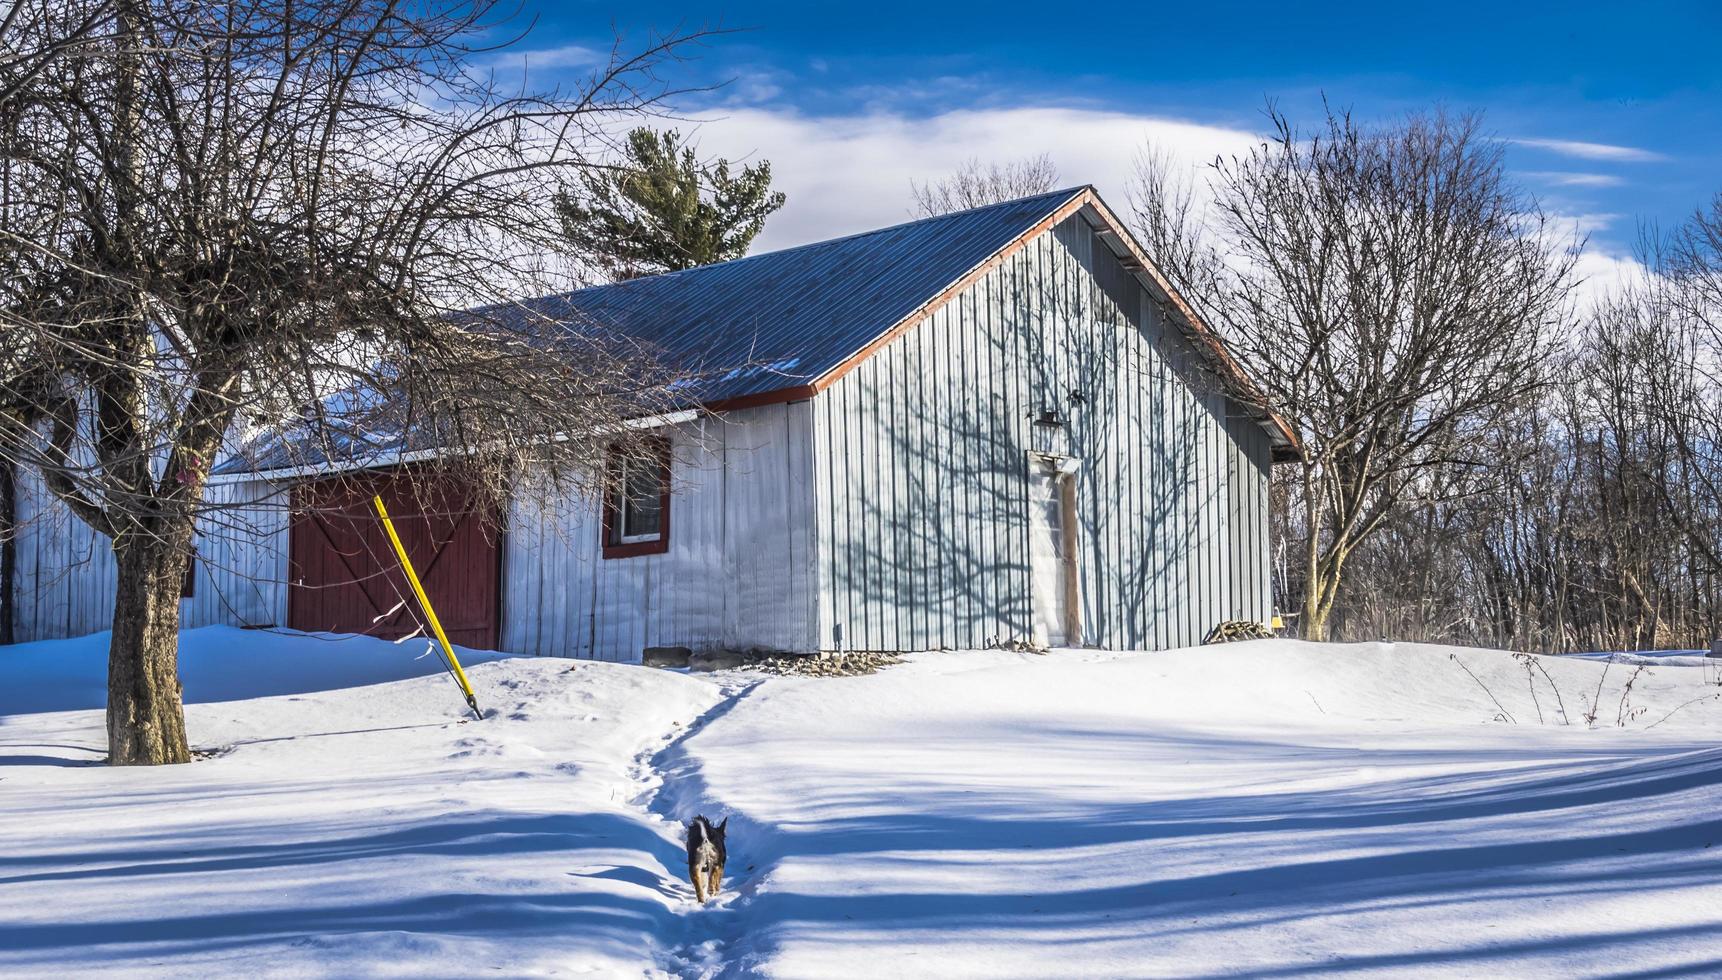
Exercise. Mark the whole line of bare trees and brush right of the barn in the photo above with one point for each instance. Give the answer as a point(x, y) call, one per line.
point(1487, 457)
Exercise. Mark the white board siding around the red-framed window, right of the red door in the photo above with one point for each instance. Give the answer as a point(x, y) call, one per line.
point(738, 574)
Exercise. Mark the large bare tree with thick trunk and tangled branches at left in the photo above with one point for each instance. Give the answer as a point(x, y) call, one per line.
point(306, 220)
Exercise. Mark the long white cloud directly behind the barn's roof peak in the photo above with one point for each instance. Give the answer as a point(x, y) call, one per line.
point(852, 173)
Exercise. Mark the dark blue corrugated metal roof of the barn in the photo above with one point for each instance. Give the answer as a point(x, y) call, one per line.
point(772, 323)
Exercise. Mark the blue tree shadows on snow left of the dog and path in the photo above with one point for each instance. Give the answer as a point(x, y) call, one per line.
point(447, 902)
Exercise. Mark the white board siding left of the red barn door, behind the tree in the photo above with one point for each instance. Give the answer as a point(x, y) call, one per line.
point(68, 581)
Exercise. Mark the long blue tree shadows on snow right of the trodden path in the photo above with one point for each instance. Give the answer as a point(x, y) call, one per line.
point(1558, 853)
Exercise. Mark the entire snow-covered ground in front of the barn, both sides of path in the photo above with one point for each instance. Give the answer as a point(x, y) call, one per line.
point(1267, 809)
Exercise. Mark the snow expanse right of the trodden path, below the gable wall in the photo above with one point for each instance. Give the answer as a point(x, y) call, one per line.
point(1268, 809)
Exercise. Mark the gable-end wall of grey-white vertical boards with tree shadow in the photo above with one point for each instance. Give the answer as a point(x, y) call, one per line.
point(922, 464)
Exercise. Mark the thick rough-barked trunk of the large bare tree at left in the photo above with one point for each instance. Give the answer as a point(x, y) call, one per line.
point(147, 724)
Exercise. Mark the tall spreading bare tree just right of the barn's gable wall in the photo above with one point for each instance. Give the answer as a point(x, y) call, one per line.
point(1396, 297)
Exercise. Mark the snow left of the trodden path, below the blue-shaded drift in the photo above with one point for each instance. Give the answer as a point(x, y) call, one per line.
point(366, 833)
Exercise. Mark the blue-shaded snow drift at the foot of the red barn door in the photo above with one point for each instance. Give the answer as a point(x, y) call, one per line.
point(220, 664)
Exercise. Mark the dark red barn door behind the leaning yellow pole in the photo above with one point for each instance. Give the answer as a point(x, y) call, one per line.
point(345, 576)
